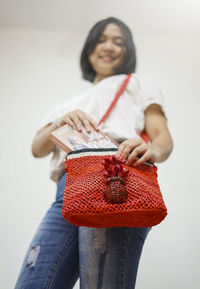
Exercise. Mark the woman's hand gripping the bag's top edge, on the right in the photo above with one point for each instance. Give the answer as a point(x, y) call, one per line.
point(131, 148)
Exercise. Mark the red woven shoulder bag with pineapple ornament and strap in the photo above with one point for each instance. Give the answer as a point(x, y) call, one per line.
point(101, 191)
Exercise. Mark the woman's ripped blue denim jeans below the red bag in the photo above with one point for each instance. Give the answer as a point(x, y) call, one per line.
point(60, 253)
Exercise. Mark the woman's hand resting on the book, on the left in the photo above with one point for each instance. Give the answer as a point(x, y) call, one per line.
point(79, 119)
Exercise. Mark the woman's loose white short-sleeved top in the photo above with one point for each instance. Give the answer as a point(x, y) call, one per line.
point(127, 118)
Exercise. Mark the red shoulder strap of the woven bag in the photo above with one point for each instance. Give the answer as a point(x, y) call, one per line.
point(123, 86)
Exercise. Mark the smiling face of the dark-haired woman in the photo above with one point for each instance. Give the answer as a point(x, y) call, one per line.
point(108, 53)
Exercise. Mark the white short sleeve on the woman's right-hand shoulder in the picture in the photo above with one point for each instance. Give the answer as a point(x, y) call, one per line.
point(149, 92)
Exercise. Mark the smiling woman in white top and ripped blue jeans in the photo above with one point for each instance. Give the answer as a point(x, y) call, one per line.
point(106, 258)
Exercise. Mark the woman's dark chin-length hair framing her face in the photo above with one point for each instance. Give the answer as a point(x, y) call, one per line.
point(129, 63)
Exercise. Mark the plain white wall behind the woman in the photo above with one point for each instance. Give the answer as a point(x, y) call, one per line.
point(40, 43)
